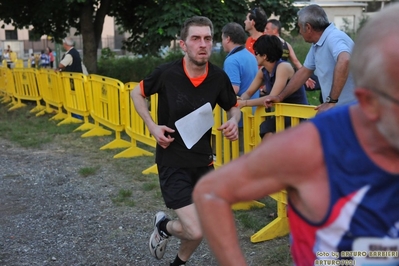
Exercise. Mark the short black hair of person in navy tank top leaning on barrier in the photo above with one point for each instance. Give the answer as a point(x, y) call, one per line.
point(269, 45)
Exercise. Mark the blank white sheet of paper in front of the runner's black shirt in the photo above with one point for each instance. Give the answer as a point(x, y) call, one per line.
point(194, 125)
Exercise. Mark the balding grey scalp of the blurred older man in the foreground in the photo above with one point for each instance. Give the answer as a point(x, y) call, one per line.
point(375, 55)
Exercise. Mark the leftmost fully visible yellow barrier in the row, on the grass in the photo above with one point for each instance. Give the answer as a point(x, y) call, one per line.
point(26, 88)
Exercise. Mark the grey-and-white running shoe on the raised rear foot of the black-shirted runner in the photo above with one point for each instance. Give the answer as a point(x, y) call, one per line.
point(158, 240)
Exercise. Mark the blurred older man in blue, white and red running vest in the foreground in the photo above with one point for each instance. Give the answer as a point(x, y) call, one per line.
point(356, 178)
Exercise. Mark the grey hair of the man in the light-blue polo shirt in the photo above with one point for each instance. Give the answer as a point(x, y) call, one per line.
point(315, 16)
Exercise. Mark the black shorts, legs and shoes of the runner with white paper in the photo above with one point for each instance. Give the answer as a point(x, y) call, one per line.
point(177, 185)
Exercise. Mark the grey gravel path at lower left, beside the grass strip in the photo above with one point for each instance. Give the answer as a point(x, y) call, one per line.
point(50, 215)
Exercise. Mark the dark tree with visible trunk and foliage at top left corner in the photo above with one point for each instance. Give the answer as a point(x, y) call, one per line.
point(56, 18)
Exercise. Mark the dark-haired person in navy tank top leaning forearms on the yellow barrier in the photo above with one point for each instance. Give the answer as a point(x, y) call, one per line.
point(274, 73)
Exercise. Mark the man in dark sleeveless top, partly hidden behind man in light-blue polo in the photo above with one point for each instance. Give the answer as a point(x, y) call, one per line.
point(273, 27)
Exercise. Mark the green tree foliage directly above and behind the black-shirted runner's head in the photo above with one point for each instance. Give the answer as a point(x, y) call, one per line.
point(155, 23)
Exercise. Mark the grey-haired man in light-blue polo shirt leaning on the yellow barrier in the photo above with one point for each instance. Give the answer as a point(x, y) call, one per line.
point(328, 58)
